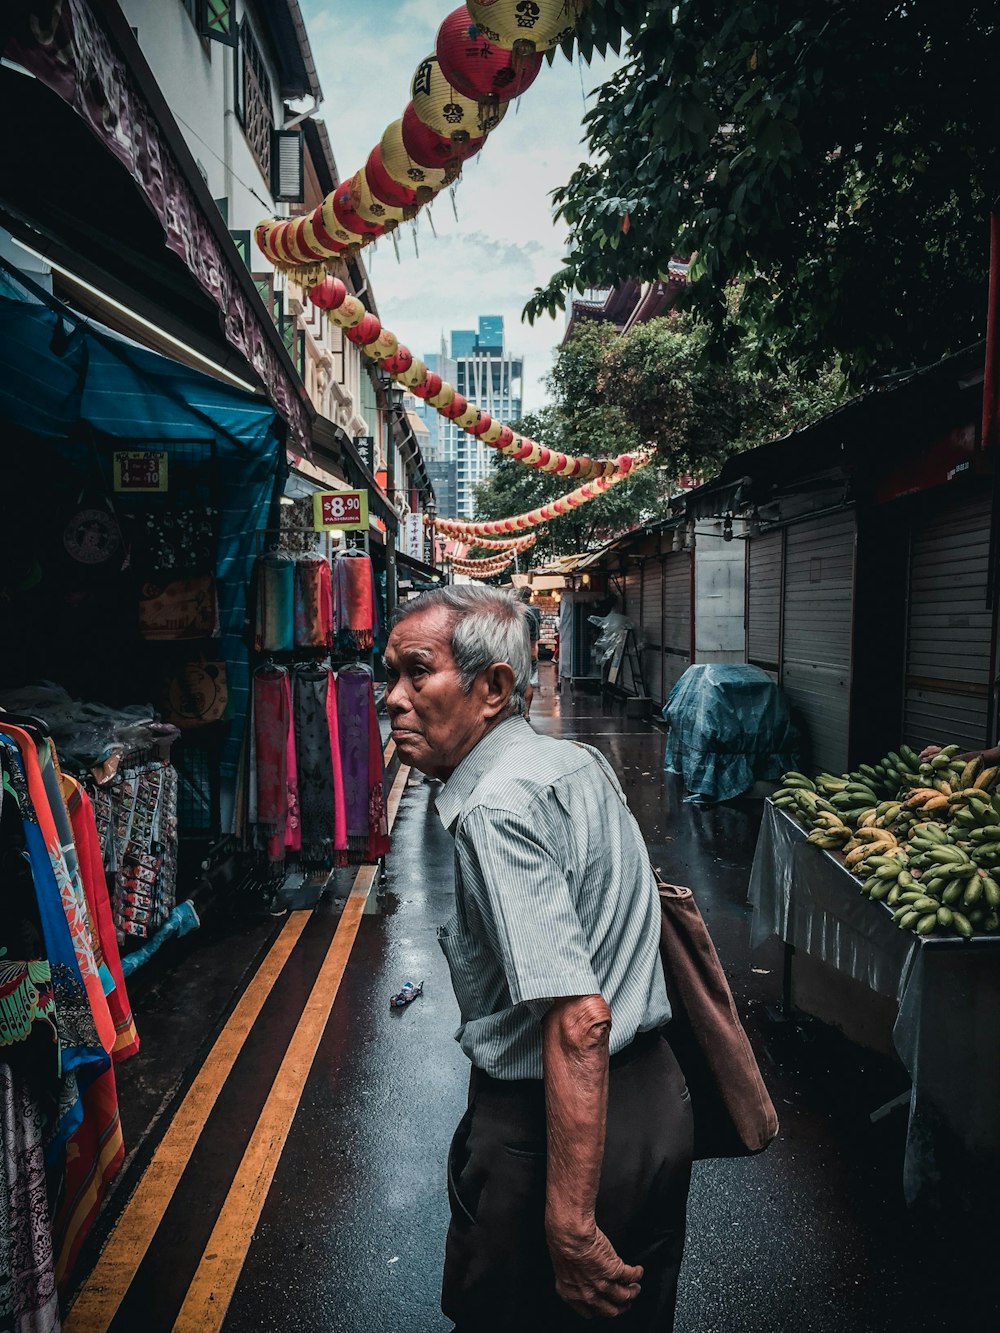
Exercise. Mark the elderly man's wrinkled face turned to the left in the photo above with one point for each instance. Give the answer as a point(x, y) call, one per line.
point(435, 723)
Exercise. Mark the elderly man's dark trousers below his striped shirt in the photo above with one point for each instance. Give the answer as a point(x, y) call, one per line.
point(498, 1275)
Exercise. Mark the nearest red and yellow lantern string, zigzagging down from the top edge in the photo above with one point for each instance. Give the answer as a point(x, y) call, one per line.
point(487, 53)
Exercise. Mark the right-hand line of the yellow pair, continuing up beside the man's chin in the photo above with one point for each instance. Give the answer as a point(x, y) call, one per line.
point(210, 1295)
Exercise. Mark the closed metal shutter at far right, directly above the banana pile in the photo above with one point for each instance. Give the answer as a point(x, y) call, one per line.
point(950, 630)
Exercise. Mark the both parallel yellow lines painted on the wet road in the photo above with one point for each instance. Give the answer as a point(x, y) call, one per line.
point(213, 1288)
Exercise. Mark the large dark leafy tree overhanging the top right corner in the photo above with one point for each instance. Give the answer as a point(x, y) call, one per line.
point(838, 159)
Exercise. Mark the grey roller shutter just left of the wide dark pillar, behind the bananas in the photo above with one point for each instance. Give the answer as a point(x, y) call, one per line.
point(819, 598)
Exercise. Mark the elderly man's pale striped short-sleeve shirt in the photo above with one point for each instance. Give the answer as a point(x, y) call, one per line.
point(554, 898)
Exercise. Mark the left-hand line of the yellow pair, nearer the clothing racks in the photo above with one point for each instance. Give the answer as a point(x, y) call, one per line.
point(99, 1299)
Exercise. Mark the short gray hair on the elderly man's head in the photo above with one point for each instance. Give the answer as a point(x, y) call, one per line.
point(489, 626)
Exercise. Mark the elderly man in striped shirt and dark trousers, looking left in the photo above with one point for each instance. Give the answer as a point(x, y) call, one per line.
point(569, 1174)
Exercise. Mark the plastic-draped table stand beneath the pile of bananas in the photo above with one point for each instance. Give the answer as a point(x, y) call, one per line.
point(947, 988)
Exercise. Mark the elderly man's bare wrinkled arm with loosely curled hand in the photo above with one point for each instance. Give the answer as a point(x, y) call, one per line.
point(590, 1275)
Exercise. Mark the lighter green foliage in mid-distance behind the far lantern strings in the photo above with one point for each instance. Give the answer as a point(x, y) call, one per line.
point(651, 389)
